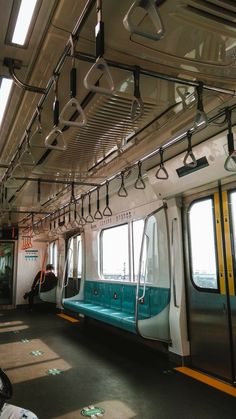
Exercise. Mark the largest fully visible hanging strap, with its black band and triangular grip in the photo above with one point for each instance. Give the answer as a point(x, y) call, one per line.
point(100, 66)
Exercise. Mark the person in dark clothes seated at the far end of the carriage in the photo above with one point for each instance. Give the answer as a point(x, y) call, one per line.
point(49, 281)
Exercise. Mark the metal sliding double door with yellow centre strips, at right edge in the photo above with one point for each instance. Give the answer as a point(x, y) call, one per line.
point(211, 226)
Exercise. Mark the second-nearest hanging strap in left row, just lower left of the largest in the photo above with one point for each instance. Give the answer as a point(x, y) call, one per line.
point(73, 102)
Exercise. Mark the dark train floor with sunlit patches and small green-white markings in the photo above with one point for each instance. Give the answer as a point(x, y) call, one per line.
point(57, 368)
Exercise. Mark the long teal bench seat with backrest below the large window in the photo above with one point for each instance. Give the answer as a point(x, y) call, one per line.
point(114, 303)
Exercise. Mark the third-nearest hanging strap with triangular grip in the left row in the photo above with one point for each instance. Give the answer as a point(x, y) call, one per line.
point(58, 142)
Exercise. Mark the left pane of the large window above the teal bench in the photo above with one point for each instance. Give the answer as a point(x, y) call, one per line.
point(115, 253)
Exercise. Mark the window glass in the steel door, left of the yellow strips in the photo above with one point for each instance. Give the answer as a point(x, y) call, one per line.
point(203, 248)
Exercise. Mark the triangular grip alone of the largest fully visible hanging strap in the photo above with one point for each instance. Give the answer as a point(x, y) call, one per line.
point(99, 66)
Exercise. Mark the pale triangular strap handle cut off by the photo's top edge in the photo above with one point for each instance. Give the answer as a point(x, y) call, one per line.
point(152, 11)
